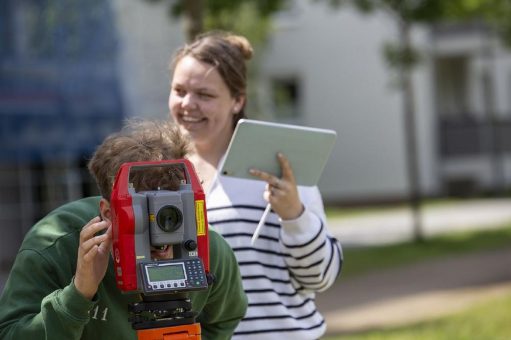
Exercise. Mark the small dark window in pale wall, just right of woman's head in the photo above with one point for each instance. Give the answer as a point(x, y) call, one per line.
point(286, 98)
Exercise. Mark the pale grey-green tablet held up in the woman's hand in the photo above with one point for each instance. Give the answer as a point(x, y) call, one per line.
point(255, 144)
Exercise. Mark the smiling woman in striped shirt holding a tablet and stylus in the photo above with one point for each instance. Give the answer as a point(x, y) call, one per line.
point(295, 256)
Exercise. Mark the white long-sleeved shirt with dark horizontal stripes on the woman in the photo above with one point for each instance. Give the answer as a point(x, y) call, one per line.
point(290, 261)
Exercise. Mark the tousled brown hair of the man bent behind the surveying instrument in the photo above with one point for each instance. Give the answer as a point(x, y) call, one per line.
point(139, 141)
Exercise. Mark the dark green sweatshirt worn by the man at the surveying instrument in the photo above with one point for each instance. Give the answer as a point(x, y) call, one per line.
point(40, 301)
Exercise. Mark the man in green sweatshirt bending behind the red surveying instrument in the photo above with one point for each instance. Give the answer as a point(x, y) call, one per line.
point(62, 284)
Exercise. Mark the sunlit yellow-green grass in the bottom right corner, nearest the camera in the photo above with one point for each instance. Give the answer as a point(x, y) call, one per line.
point(488, 320)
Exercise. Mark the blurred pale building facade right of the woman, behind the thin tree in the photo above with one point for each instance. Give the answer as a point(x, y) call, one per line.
point(462, 101)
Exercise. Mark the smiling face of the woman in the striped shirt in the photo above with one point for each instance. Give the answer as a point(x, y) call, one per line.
point(201, 103)
